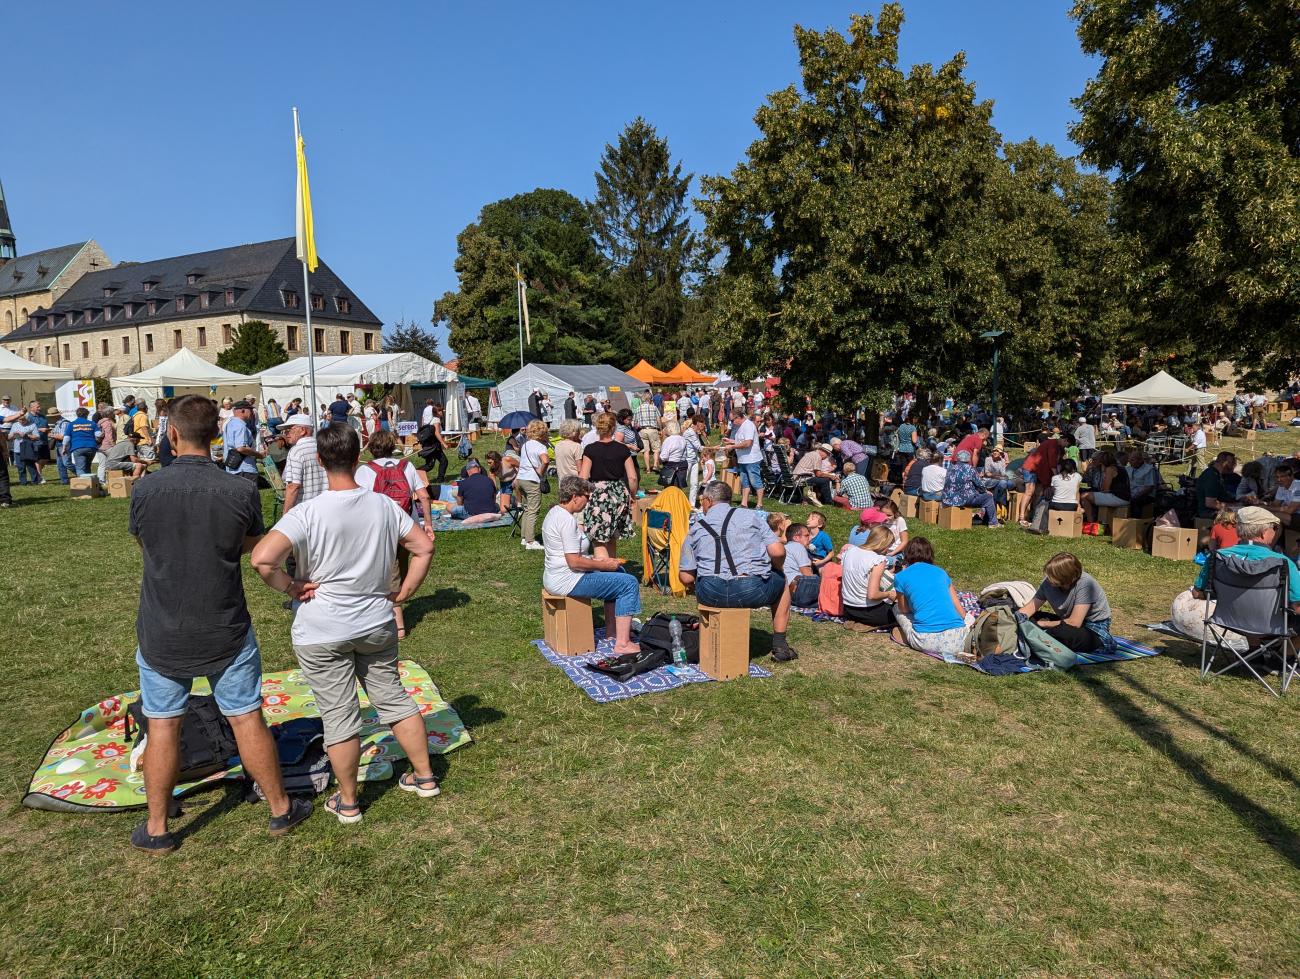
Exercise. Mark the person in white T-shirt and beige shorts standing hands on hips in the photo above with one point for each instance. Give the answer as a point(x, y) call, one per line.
point(345, 543)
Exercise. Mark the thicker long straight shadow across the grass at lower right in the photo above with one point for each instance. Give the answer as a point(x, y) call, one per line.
point(1156, 735)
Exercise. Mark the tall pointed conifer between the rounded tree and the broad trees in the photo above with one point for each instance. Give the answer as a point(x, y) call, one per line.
point(643, 227)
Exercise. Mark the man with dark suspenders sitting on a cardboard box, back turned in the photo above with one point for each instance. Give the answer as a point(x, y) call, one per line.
point(734, 561)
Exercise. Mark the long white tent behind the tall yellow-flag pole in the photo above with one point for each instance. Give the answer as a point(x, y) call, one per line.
point(417, 379)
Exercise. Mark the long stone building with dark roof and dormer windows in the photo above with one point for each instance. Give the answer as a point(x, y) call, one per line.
point(129, 318)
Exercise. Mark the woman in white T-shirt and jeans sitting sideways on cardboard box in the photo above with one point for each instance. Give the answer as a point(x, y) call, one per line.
point(567, 570)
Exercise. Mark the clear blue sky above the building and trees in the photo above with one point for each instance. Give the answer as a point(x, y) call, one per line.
point(161, 129)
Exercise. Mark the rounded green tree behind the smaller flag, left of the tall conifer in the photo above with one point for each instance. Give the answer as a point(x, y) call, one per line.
point(549, 235)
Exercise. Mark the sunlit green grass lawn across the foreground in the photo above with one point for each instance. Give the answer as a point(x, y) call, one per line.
point(865, 811)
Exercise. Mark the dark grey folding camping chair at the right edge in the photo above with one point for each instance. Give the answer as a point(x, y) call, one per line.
point(1250, 599)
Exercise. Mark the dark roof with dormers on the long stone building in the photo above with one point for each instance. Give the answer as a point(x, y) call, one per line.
point(257, 274)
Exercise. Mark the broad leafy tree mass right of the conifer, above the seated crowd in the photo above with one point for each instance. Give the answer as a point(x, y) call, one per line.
point(876, 232)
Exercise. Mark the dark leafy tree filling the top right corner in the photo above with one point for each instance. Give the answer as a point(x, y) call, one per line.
point(1195, 112)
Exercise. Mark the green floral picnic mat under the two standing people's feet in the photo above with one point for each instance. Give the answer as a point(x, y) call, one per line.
point(88, 768)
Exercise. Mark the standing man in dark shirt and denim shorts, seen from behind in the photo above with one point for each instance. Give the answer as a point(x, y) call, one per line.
point(194, 523)
